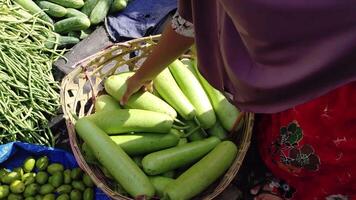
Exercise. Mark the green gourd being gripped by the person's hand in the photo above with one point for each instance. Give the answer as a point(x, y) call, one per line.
point(116, 86)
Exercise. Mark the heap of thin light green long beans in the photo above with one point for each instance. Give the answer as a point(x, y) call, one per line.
point(28, 92)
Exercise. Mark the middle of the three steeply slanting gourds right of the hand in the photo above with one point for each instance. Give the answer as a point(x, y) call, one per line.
point(194, 91)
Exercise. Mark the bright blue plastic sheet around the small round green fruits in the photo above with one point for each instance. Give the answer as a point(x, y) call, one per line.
point(13, 154)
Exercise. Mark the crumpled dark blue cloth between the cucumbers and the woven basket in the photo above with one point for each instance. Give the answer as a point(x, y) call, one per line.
point(137, 18)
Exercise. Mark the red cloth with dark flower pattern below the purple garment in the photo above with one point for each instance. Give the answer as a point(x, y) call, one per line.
point(313, 146)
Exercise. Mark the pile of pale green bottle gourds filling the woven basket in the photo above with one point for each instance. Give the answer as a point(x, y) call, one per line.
point(171, 143)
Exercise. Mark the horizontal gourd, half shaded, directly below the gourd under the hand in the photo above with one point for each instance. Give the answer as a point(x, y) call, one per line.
point(132, 120)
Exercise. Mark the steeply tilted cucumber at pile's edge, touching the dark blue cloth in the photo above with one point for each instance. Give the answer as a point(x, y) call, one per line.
point(100, 11)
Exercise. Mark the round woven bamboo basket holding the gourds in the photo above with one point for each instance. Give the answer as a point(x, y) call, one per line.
point(80, 88)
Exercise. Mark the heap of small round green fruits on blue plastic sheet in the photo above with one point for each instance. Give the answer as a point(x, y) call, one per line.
point(41, 180)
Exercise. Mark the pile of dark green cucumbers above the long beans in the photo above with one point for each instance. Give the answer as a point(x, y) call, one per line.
point(73, 20)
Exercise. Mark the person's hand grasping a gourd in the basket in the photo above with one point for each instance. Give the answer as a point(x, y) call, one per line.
point(133, 84)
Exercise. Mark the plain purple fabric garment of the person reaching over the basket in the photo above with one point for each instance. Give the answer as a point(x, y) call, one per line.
point(274, 54)
